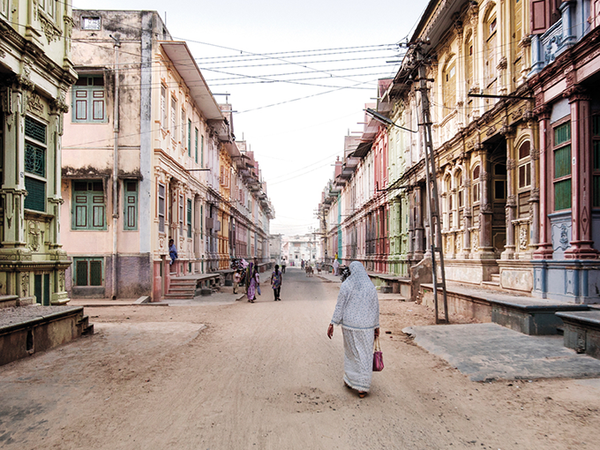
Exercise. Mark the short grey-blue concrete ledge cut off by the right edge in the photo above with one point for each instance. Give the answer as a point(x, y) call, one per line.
point(582, 331)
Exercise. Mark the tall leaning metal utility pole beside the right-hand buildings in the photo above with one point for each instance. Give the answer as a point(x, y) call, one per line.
point(435, 227)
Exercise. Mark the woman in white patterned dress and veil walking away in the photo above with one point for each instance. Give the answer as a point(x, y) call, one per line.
point(357, 311)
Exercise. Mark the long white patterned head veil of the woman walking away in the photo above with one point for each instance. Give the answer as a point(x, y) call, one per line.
point(357, 306)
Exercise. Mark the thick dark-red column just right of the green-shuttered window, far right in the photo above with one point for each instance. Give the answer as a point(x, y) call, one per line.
point(581, 176)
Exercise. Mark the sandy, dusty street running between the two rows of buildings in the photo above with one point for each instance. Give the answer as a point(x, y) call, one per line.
point(265, 376)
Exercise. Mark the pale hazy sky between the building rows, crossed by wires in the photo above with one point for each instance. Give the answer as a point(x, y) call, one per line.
point(295, 108)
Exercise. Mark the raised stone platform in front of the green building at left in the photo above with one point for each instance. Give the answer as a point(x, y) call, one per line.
point(26, 330)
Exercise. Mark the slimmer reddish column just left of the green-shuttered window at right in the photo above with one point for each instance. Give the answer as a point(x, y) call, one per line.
point(544, 250)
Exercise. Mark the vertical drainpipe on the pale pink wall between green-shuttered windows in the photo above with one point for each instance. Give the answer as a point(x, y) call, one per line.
point(115, 195)
